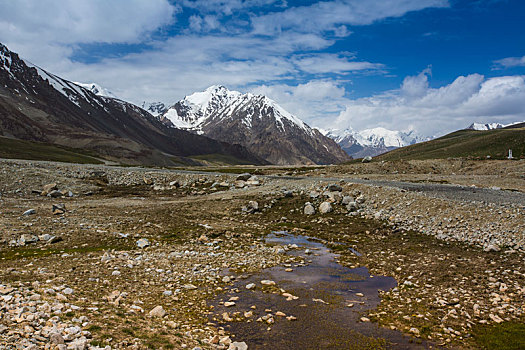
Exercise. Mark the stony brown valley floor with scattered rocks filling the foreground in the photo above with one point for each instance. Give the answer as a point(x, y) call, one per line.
point(99, 257)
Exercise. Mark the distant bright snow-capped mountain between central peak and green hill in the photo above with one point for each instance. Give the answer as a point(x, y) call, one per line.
point(372, 142)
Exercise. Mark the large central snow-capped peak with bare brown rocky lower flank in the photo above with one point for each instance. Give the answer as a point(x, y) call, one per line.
point(256, 122)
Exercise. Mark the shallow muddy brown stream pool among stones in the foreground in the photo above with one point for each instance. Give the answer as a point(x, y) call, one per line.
point(324, 289)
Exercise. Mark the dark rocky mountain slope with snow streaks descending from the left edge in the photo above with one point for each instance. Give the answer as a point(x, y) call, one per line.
point(36, 105)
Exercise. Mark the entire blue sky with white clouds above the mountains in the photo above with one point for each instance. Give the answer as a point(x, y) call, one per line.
point(432, 66)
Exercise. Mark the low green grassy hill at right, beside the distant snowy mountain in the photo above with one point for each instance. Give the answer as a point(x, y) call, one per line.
point(465, 144)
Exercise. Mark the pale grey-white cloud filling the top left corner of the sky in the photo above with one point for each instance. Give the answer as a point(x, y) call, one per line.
point(82, 21)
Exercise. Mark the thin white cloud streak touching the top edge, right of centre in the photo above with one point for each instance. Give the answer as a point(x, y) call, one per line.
point(330, 15)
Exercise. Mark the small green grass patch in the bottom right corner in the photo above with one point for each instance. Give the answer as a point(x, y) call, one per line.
point(505, 336)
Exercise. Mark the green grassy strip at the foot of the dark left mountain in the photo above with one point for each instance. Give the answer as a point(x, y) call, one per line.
point(20, 149)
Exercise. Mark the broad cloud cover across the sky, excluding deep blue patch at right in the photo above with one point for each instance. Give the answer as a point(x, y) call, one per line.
point(293, 54)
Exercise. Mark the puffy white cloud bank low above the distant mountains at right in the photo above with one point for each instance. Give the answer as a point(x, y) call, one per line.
point(430, 111)
